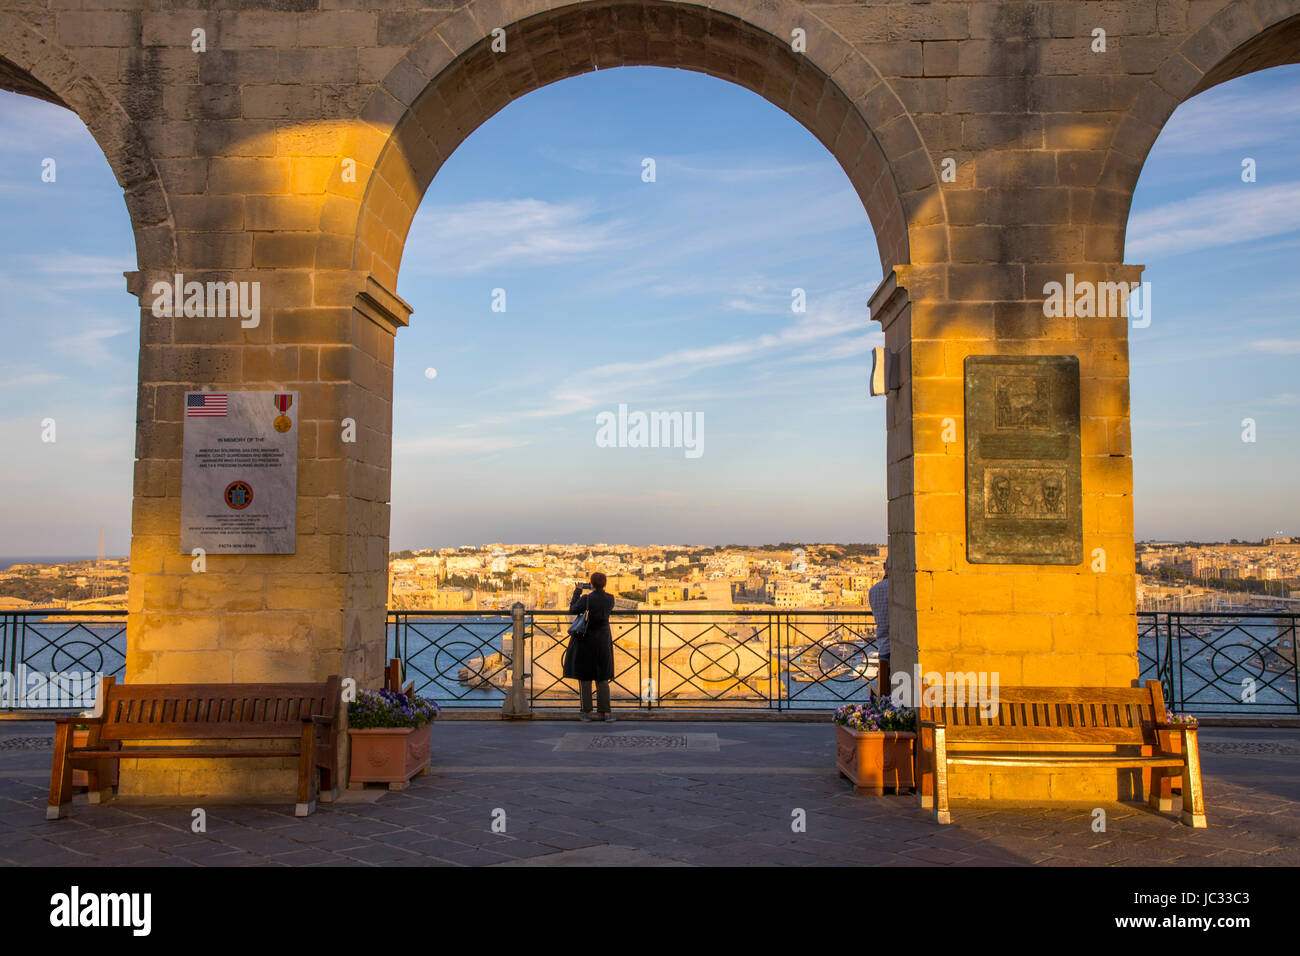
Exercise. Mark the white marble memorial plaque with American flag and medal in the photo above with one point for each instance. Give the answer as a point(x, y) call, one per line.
point(240, 473)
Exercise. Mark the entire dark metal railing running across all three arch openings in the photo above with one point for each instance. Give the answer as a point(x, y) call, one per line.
point(1229, 663)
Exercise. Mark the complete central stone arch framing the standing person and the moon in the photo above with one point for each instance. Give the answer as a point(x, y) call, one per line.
point(452, 83)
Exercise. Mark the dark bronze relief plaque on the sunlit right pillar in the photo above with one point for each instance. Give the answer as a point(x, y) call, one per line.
point(1024, 471)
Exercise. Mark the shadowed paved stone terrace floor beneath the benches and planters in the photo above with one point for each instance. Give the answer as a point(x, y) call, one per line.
point(652, 794)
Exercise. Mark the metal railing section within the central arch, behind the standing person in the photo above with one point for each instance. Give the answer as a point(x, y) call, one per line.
point(671, 659)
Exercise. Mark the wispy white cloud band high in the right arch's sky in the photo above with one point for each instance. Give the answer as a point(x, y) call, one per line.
point(1214, 219)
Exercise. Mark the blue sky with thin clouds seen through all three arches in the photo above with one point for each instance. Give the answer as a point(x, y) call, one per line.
point(668, 296)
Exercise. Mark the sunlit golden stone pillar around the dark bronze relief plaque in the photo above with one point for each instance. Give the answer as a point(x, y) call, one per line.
point(1029, 624)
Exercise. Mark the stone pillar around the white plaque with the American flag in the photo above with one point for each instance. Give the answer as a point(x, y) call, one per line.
point(265, 618)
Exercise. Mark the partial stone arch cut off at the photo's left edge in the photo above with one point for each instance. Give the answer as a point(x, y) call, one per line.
point(33, 66)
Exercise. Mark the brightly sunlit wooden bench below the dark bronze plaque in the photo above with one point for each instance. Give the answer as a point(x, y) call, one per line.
point(1123, 728)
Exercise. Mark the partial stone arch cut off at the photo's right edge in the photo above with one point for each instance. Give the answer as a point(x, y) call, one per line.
point(1245, 37)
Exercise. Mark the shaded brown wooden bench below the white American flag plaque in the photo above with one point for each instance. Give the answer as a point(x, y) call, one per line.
point(307, 715)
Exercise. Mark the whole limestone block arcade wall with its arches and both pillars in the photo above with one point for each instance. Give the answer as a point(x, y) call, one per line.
point(994, 146)
